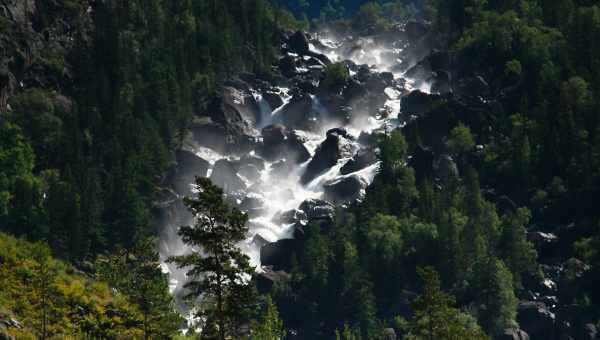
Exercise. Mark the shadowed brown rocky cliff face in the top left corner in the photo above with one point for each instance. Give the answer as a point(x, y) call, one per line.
point(39, 45)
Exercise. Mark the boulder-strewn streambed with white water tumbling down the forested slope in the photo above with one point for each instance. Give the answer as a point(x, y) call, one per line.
point(288, 149)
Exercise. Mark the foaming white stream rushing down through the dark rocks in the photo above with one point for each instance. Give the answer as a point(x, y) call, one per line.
point(276, 191)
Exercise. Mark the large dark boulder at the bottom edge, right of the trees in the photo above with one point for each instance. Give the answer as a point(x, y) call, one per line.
point(536, 319)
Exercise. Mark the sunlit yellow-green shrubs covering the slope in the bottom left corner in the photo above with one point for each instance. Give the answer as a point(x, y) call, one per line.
point(52, 300)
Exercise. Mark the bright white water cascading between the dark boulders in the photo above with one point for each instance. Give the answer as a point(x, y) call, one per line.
point(279, 192)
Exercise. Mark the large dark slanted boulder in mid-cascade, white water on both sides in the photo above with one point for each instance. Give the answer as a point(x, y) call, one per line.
point(336, 146)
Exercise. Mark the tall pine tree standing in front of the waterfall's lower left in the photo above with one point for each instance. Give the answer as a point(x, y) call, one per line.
point(219, 272)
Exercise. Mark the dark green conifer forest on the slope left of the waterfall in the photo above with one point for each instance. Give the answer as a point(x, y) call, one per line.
point(128, 67)
